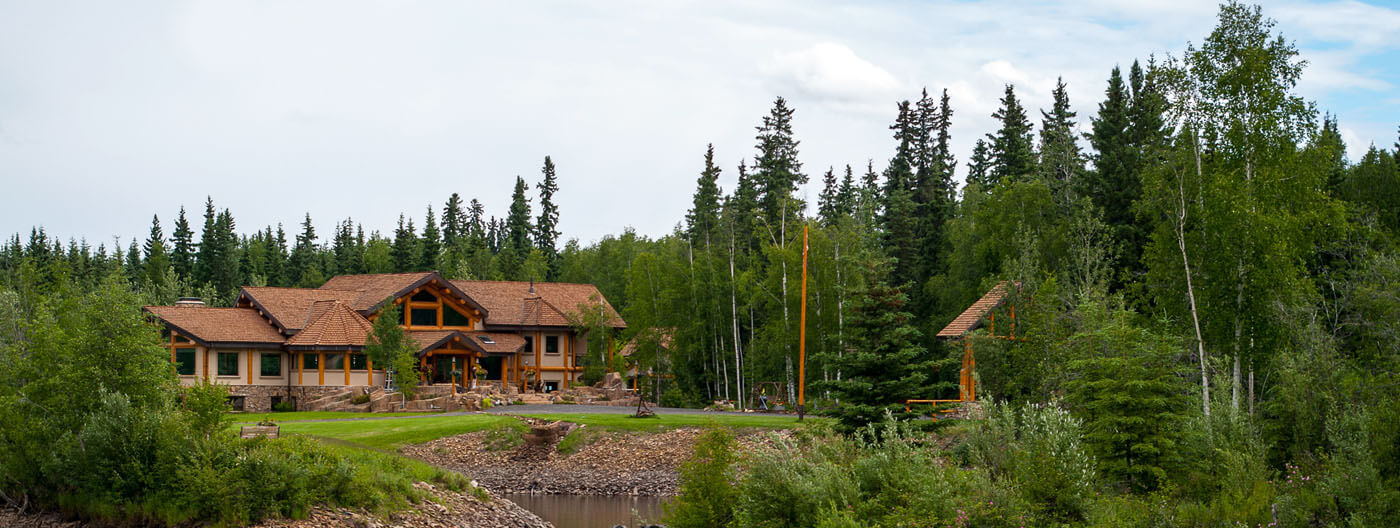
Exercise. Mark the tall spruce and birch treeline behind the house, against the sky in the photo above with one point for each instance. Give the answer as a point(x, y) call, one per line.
point(1185, 201)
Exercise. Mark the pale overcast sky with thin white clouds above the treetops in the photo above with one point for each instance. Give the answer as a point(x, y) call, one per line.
point(113, 111)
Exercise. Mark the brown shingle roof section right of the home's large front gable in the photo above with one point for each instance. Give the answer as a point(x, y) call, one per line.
point(513, 305)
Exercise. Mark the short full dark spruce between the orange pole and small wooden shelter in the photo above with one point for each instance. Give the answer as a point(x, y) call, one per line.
point(887, 365)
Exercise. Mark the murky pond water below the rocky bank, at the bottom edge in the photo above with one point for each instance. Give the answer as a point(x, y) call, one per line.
point(590, 512)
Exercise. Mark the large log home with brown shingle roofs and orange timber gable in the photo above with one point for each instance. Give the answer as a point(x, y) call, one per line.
point(295, 345)
